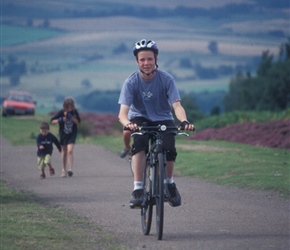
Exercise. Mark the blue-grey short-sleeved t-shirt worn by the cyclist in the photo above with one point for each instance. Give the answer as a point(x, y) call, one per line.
point(152, 100)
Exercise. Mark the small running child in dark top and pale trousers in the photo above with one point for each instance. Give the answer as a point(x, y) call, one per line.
point(44, 143)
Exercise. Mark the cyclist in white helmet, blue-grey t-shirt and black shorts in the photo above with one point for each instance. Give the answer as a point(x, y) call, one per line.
point(148, 95)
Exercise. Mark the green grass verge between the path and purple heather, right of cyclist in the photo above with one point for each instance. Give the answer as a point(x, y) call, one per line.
point(237, 165)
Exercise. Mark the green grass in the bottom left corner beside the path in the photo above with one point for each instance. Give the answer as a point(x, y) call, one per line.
point(28, 223)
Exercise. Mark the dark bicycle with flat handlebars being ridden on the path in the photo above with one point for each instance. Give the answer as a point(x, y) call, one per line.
point(154, 176)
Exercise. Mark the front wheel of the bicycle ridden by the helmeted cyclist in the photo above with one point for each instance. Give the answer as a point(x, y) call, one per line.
point(160, 196)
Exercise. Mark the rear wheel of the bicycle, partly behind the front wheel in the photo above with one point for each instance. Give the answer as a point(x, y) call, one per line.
point(147, 207)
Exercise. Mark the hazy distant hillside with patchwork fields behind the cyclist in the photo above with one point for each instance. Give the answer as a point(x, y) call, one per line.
point(202, 43)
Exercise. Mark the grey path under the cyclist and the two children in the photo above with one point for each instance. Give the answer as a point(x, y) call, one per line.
point(211, 216)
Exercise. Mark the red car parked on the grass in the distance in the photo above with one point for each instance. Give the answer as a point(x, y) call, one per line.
point(18, 103)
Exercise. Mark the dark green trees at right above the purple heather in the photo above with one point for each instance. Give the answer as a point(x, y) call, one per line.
point(268, 90)
